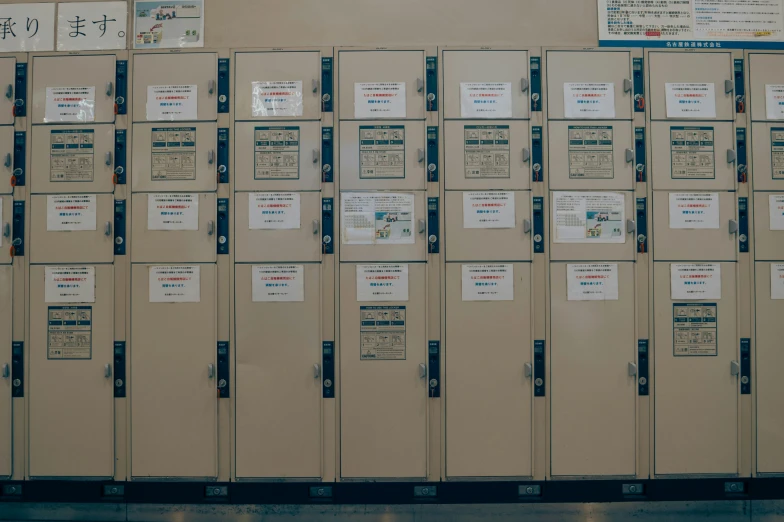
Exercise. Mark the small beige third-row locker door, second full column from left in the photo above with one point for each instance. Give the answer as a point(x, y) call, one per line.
point(191, 239)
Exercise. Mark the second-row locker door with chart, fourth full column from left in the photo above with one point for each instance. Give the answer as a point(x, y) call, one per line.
point(374, 155)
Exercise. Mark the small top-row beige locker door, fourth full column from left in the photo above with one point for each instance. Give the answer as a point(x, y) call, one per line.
point(382, 67)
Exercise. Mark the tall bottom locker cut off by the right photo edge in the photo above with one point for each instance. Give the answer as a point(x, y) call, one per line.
point(770, 388)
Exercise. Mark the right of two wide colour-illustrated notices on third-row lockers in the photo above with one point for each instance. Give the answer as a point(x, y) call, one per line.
point(589, 217)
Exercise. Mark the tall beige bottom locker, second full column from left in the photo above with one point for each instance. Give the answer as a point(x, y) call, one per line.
point(173, 385)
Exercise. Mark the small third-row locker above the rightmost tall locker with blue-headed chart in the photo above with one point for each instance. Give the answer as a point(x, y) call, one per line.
point(688, 244)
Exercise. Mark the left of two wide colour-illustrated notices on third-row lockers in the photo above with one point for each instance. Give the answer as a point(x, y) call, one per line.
point(377, 218)
